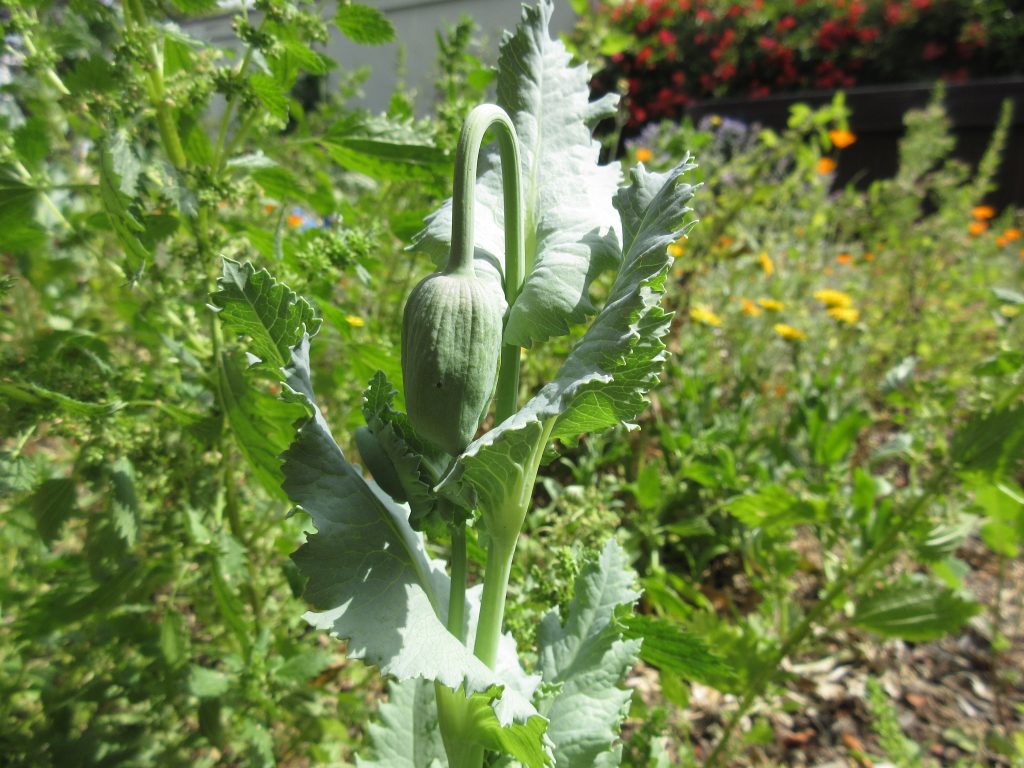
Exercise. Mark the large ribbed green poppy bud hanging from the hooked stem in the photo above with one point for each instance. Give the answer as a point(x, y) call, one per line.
point(451, 344)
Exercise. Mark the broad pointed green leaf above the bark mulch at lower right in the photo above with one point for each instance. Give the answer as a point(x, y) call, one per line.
point(914, 609)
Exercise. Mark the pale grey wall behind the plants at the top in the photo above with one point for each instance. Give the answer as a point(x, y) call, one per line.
point(416, 23)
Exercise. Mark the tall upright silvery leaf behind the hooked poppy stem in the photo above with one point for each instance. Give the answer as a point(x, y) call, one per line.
point(571, 225)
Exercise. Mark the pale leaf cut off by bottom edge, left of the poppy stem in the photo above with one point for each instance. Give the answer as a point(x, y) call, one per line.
point(408, 735)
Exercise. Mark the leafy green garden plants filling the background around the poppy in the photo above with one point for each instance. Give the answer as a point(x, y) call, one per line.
point(825, 494)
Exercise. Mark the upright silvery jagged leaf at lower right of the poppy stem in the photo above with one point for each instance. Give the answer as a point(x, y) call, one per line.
point(589, 658)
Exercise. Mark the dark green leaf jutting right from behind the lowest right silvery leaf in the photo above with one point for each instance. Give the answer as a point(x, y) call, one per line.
point(670, 649)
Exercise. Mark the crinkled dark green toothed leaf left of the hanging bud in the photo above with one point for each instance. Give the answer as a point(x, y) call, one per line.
point(254, 305)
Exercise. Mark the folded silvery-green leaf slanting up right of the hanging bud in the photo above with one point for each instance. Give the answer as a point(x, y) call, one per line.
point(606, 377)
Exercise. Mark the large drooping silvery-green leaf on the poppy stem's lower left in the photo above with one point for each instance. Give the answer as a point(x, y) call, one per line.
point(373, 584)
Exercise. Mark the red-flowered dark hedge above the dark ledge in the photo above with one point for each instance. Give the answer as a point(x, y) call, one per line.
point(687, 51)
